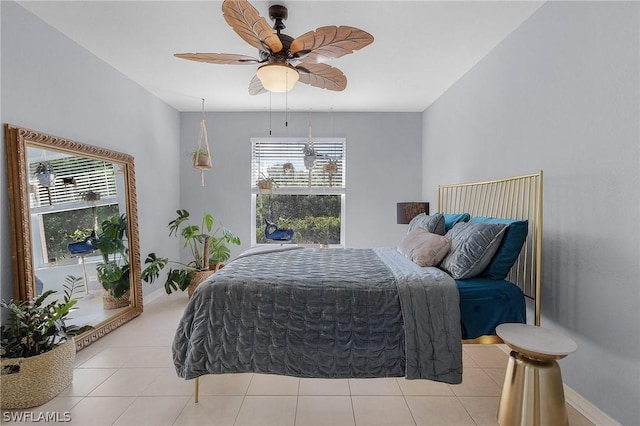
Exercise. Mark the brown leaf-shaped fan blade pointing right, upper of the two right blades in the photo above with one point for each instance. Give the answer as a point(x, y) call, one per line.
point(329, 42)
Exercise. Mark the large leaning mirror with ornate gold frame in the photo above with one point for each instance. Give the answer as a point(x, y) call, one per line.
point(65, 198)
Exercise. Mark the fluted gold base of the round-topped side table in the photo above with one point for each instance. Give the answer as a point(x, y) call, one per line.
point(532, 393)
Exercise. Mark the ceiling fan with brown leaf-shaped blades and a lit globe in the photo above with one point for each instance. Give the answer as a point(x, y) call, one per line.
point(285, 60)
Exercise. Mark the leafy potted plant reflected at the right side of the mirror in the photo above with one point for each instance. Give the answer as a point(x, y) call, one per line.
point(113, 273)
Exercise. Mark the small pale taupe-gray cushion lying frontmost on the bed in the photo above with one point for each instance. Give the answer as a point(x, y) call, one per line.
point(424, 248)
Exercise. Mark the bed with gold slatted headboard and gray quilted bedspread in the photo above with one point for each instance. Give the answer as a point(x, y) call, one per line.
point(339, 313)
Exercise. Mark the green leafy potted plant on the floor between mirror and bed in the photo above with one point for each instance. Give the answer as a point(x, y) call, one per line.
point(208, 247)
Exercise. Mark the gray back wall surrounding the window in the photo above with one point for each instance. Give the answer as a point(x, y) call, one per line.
point(383, 153)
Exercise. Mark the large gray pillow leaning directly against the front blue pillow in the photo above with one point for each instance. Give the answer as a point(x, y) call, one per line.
point(472, 248)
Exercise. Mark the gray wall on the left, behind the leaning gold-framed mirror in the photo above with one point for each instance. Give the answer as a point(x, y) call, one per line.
point(51, 84)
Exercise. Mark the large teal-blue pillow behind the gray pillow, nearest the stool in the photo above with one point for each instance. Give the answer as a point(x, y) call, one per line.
point(509, 249)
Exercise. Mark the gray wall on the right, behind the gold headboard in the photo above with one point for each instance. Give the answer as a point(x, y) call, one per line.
point(562, 94)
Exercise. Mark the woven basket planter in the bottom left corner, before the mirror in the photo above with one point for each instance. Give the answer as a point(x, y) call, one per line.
point(39, 379)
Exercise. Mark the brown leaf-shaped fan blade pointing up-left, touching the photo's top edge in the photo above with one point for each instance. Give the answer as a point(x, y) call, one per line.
point(250, 26)
